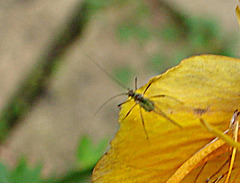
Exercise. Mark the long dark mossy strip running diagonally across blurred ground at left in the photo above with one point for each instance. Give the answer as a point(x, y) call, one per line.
point(36, 81)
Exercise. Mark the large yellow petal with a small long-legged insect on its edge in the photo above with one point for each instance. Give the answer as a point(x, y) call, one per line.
point(208, 86)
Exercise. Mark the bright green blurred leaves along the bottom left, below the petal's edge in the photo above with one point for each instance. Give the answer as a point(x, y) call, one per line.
point(87, 154)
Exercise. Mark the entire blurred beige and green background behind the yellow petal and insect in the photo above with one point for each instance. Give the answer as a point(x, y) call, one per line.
point(51, 88)
